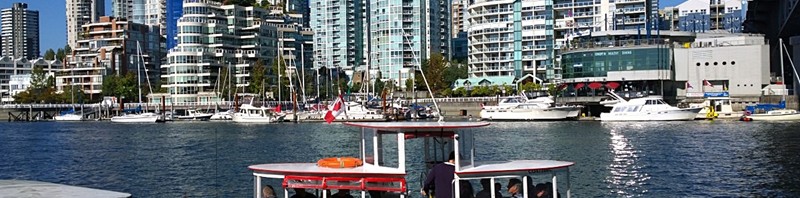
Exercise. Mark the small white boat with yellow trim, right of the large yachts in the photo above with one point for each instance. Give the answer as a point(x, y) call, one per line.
point(716, 107)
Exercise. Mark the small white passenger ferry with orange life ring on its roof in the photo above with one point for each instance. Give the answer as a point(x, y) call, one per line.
point(372, 171)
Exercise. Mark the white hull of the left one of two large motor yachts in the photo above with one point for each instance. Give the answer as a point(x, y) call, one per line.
point(525, 114)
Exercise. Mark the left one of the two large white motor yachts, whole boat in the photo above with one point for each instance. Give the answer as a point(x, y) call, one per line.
point(522, 108)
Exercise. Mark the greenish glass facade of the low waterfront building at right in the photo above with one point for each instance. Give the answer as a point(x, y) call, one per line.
point(598, 63)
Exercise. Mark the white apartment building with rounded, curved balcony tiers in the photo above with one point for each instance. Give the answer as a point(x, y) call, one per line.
point(213, 37)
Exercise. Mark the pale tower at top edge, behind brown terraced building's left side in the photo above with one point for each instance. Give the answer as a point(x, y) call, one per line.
point(79, 13)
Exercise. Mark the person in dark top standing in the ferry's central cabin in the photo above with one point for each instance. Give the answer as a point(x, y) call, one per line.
point(441, 177)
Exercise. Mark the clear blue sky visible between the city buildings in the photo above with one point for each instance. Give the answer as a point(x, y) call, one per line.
point(53, 24)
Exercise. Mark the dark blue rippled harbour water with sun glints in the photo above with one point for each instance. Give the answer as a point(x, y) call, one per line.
point(208, 159)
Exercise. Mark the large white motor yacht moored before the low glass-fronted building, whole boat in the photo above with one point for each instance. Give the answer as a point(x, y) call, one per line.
point(648, 109)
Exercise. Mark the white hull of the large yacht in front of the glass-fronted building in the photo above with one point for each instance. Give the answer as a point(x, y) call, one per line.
point(664, 115)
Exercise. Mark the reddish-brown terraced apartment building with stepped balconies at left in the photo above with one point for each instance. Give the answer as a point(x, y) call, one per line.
point(111, 46)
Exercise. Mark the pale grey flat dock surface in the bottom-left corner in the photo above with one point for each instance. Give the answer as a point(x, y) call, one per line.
point(32, 189)
